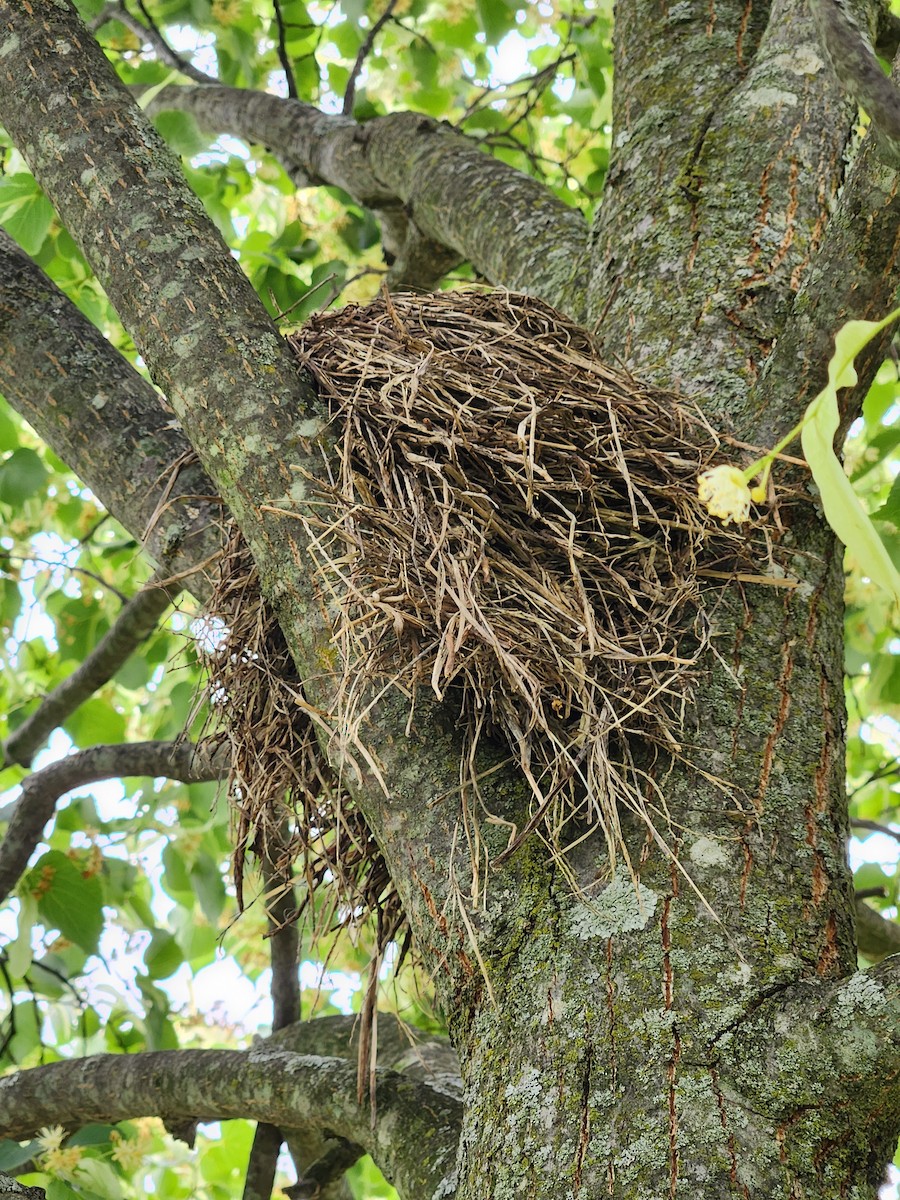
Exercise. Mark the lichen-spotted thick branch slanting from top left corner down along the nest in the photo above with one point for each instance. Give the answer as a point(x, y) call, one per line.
point(233, 383)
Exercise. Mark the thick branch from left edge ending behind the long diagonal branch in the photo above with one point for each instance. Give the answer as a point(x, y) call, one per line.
point(104, 419)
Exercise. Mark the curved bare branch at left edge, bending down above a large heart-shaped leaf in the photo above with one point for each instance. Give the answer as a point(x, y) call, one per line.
point(43, 790)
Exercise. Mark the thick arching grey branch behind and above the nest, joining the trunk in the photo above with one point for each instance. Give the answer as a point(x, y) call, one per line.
point(511, 227)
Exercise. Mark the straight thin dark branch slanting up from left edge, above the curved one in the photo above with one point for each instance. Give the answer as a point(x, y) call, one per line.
point(133, 627)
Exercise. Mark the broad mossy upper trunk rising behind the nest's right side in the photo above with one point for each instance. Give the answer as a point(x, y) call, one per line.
point(716, 233)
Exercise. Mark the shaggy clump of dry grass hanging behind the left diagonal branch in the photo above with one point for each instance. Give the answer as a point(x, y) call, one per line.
point(287, 803)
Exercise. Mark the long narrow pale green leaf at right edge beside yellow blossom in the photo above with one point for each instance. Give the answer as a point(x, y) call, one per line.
point(843, 509)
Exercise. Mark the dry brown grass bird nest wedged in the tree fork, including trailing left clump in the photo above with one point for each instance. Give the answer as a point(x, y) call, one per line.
point(514, 525)
